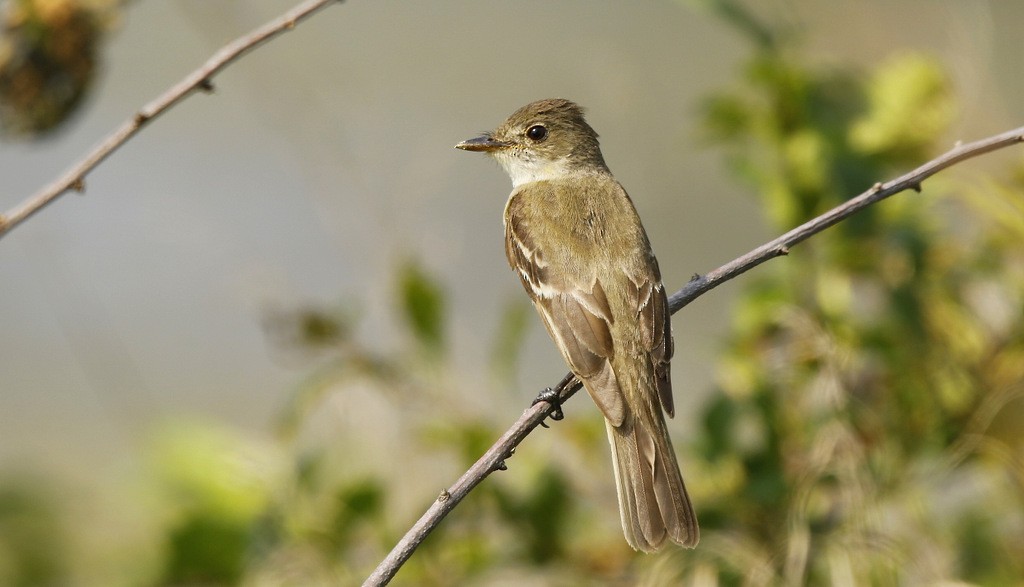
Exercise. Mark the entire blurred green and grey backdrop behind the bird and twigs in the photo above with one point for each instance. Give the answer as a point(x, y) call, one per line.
point(280, 320)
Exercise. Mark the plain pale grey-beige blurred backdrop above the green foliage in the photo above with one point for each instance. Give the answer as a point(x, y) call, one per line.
point(327, 156)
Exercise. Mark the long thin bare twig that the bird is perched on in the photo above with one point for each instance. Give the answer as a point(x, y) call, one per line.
point(495, 458)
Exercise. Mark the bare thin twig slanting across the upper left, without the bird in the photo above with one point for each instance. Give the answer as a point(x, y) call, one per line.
point(74, 179)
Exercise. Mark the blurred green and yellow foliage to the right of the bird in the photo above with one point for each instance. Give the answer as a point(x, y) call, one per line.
point(861, 434)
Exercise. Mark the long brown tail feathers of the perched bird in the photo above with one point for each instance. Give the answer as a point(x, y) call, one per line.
point(653, 498)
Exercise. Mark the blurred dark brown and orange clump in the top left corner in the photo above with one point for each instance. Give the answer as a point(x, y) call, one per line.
point(49, 60)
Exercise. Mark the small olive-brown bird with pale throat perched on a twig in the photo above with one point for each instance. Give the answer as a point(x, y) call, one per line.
point(574, 237)
